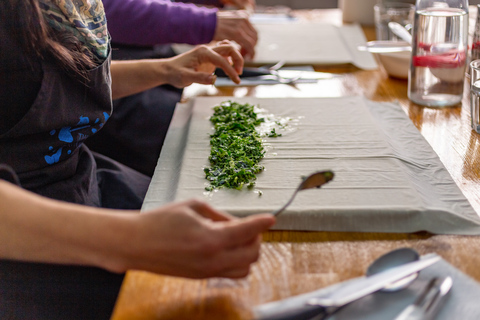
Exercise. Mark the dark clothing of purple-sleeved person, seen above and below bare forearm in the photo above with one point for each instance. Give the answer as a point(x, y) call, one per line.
point(135, 133)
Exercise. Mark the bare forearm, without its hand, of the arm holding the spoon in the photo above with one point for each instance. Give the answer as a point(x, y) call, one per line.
point(37, 229)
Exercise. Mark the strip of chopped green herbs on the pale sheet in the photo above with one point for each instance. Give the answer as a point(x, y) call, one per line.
point(236, 147)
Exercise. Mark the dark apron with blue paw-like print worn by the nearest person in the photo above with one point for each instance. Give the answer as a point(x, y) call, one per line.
point(46, 147)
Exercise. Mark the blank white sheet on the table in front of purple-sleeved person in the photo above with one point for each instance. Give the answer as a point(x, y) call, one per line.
point(308, 43)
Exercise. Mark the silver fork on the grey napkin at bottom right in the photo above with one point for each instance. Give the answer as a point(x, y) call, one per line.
point(428, 303)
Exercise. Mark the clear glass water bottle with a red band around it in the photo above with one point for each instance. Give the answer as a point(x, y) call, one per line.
point(439, 52)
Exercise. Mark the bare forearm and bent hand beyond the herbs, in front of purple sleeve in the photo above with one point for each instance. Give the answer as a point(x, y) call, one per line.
point(197, 65)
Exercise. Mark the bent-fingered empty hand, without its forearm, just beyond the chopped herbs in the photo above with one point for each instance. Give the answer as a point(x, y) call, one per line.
point(198, 64)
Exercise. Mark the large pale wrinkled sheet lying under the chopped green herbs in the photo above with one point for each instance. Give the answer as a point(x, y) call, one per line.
point(388, 178)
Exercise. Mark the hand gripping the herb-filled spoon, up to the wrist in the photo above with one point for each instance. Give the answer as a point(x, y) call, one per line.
point(191, 239)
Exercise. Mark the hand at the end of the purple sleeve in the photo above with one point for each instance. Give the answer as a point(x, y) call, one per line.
point(235, 26)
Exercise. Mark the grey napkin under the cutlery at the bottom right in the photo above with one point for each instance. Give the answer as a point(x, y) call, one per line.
point(462, 302)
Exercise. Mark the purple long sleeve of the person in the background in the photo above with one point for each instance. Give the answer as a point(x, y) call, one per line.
point(150, 22)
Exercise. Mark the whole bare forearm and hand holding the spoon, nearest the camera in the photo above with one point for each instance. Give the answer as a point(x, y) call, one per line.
point(189, 239)
